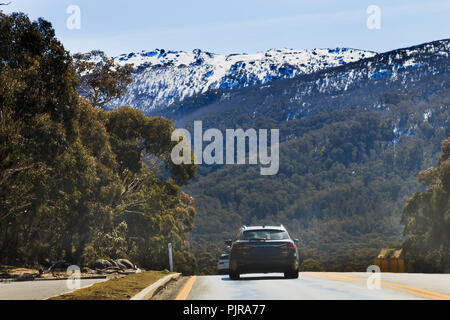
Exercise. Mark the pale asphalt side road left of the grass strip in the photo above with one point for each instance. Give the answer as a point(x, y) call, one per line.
point(38, 290)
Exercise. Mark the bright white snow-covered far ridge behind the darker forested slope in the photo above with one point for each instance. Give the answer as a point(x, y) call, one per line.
point(162, 78)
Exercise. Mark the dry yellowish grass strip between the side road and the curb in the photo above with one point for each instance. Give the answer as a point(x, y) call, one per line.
point(115, 289)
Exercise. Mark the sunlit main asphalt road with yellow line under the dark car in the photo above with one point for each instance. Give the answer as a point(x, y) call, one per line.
point(322, 286)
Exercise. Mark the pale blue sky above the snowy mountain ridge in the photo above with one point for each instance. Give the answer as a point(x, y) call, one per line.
point(238, 26)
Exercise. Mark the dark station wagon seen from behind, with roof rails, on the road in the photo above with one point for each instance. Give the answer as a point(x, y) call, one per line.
point(263, 249)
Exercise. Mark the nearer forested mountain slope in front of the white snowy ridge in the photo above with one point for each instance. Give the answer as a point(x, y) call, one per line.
point(354, 139)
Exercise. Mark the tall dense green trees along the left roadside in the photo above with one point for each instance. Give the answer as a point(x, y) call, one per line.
point(79, 183)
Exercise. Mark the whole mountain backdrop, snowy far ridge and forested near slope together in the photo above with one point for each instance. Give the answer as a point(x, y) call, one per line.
point(355, 128)
